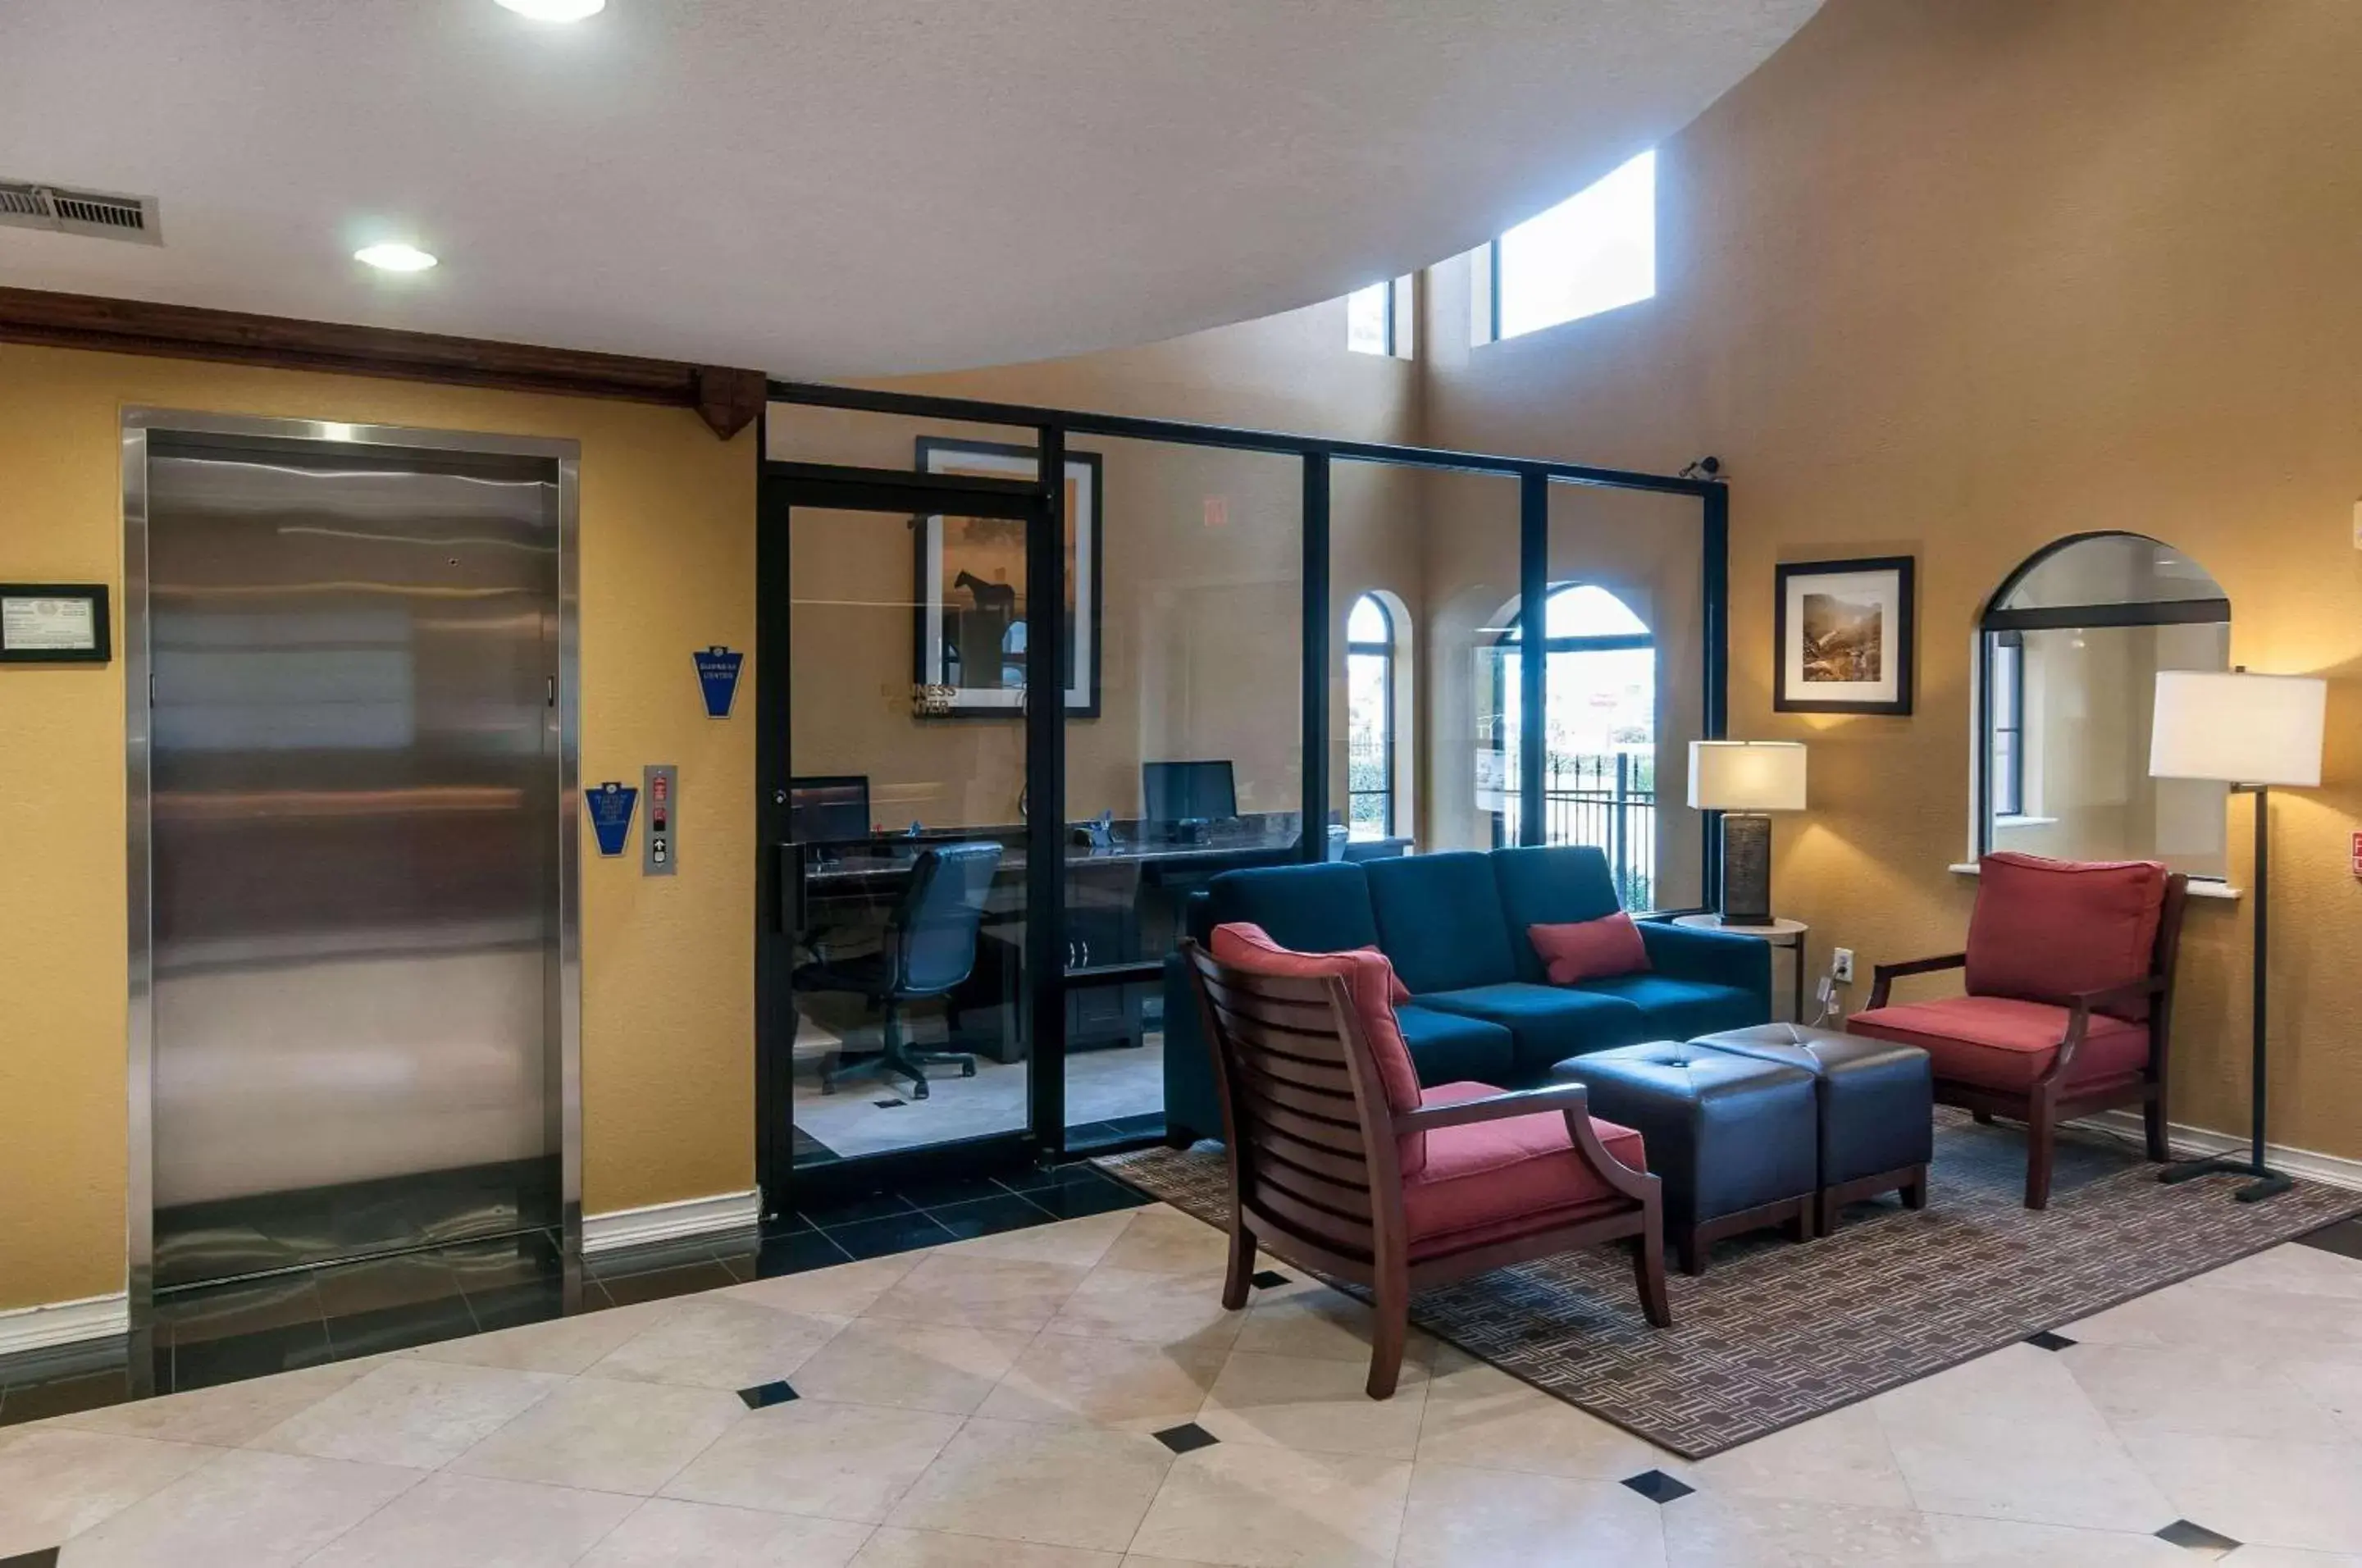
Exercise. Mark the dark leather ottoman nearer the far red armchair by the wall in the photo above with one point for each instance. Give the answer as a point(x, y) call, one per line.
point(1877, 1109)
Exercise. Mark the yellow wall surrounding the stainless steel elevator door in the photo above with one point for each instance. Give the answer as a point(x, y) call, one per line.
point(667, 568)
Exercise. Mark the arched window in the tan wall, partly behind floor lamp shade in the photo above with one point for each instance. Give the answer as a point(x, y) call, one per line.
point(2070, 648)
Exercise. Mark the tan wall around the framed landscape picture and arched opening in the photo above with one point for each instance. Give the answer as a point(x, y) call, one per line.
point(1957, 280)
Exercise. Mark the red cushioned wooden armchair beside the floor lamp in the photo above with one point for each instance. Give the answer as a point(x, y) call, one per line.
point(2070, 1000)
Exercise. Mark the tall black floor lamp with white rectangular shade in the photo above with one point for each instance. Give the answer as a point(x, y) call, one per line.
point(2250, 733)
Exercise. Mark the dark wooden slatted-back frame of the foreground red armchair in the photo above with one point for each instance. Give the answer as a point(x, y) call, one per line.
point(1317, 1170)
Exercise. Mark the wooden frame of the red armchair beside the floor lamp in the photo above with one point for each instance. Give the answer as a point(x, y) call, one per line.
point(2051, 1099)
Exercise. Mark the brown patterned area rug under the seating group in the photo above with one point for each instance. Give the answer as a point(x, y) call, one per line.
point(1780, 1333)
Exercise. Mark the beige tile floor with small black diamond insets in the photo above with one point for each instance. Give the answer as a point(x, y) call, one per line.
point(993, 1406)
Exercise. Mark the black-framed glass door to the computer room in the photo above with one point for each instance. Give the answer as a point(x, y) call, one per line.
point(896, 976)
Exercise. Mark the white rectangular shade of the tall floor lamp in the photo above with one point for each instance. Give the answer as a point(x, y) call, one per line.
point(2238, 729)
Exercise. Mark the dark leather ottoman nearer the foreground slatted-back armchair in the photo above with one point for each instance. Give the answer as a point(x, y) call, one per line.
point(1733, 1137)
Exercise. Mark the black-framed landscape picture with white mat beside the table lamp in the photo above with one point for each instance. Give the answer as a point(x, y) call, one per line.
point(1844, 636)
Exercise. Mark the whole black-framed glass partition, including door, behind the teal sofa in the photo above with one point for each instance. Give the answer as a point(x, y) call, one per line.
point(986, 806)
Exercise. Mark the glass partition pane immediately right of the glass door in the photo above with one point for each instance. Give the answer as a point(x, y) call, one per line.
point(1189, 762)
